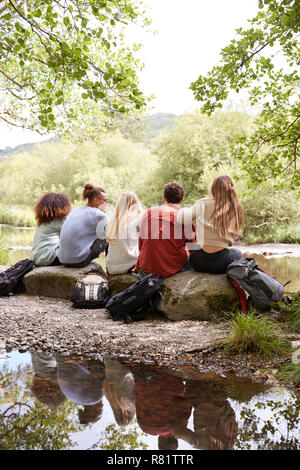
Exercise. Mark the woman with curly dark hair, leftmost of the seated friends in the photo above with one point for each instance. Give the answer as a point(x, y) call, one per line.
point(50, 213)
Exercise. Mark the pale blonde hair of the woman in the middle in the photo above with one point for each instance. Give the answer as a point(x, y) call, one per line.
point(127, 207)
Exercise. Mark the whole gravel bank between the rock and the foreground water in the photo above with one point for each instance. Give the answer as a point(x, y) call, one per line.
point(30, 323)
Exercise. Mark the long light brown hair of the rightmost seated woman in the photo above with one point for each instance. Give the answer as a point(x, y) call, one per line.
point(228, 214)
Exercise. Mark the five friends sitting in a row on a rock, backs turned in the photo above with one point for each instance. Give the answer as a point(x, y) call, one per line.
point(160, 240)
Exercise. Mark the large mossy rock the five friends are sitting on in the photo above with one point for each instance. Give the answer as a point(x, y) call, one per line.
point(185, 296)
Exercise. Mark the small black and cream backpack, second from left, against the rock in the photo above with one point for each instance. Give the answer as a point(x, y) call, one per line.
point(91, 291)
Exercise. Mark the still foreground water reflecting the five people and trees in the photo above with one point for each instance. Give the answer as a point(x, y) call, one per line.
point(60, 402)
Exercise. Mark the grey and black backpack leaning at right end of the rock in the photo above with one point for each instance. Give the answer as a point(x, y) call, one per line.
point(262, 288)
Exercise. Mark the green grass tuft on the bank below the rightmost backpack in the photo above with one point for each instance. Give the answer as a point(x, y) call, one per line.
point(252, 333)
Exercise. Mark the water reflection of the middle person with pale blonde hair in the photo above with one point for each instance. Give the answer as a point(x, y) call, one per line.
point(119, 390)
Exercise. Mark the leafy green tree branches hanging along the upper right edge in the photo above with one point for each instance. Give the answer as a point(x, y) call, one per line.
point(264, 59)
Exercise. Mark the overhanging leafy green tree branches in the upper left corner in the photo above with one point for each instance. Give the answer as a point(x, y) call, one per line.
point(64, 61)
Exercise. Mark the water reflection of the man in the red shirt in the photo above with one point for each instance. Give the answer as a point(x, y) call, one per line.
point(162, 407)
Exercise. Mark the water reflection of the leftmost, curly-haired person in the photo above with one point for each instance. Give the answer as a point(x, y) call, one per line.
point(45, 386)
